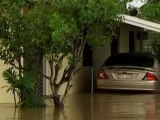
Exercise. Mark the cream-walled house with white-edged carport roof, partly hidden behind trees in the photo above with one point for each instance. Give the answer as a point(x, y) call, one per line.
point(132, 38)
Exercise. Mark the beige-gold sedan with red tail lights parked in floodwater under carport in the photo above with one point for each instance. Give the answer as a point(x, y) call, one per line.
point(130, 71)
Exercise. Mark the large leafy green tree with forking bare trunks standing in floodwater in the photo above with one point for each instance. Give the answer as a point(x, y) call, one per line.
point(58, 30)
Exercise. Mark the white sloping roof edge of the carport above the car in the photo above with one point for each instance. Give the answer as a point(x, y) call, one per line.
point(141, 23)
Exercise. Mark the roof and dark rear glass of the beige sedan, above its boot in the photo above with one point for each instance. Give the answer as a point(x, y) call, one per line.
point(135, 59)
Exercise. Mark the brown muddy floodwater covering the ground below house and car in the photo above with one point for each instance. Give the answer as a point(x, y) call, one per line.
point(101, 106)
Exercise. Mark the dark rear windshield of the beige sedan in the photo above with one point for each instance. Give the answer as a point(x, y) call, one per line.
point(130, 60)
